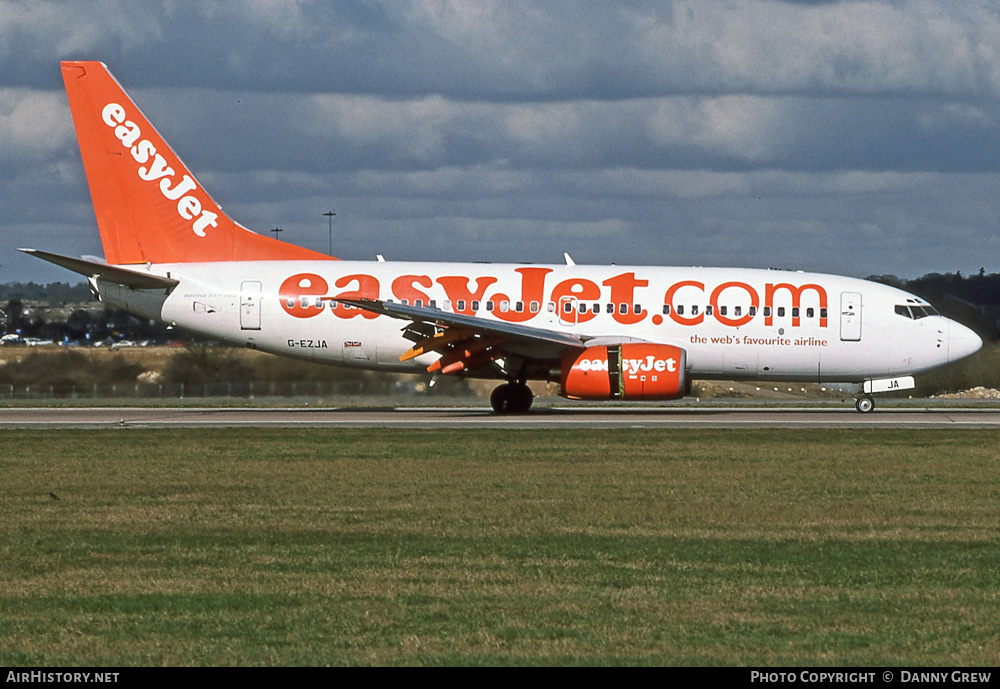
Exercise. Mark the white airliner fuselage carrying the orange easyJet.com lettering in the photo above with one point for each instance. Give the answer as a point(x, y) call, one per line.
point(734, 323)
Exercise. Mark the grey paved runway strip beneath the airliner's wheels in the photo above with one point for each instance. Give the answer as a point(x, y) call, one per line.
point(481, 417)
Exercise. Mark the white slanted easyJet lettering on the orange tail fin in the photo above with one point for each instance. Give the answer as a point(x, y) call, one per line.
point(153, 166)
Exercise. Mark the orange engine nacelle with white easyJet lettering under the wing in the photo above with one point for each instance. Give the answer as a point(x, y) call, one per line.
point(627, 371)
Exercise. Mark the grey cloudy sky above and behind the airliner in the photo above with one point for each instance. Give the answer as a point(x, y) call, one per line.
point(846, 137)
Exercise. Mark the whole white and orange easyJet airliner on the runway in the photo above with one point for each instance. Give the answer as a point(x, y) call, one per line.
point(601, 332)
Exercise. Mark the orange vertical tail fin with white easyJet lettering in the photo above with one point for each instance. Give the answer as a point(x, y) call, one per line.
point(149, 207)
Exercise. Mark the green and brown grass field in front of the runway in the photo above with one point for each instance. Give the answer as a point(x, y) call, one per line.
point(317, 547)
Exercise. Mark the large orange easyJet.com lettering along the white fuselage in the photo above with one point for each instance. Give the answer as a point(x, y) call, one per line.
point(307, 295)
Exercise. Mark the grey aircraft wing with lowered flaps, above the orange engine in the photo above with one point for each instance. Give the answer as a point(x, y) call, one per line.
point(467, 342)
